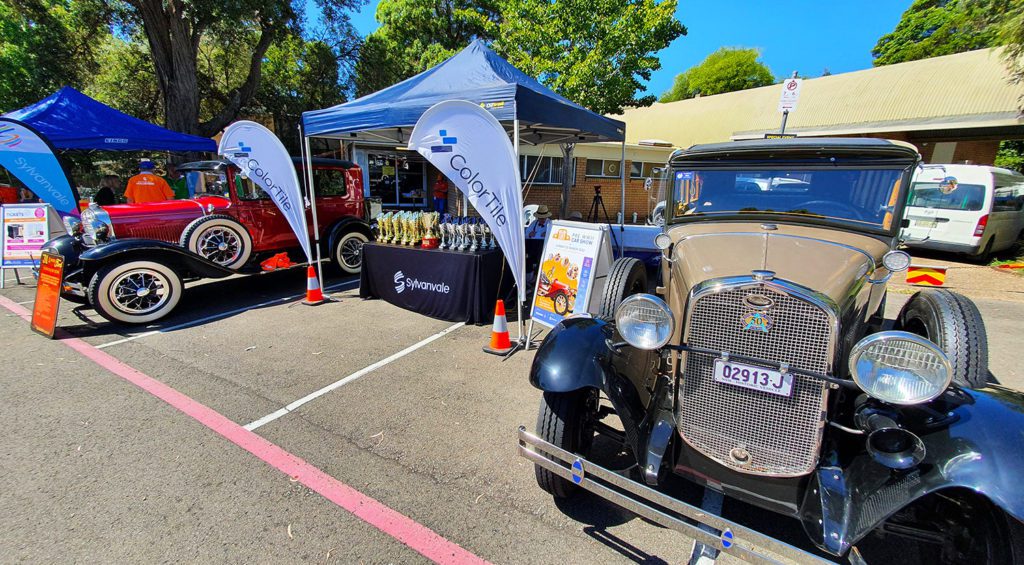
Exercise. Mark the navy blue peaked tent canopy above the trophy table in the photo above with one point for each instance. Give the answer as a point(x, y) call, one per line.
point(477, 74)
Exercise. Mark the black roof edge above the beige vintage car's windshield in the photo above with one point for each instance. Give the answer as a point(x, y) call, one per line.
point(804, 147)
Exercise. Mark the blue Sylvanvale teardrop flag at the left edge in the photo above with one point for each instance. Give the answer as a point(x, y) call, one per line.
point(31, 159)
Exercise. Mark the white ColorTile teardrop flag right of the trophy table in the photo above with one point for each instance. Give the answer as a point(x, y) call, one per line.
point(472, 148)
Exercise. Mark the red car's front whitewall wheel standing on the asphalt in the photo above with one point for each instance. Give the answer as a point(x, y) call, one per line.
point(135, 292)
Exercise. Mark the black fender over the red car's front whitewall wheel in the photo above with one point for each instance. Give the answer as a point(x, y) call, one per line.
point(180, 258)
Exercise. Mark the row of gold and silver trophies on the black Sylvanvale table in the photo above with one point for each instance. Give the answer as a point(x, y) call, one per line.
point(432, 231)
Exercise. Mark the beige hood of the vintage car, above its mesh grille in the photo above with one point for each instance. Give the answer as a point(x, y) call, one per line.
point(830, 263)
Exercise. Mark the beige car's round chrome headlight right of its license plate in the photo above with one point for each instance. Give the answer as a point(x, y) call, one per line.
point(901, 368)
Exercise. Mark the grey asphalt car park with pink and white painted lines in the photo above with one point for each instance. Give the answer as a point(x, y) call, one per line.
point(100, 469)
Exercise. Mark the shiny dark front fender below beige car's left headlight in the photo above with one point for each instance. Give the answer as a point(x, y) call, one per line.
point(585, 353)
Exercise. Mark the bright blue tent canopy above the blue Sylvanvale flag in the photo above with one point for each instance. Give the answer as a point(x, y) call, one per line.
point(73, 121)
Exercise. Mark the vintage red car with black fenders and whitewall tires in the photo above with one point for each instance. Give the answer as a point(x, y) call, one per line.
point(129, 262)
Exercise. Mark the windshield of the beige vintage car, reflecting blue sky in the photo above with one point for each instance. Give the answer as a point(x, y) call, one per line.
point(862, 197)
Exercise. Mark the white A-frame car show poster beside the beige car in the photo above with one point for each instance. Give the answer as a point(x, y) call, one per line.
point(566, 281)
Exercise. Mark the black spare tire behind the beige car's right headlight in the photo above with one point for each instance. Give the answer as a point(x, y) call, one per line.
point(954, 323)
